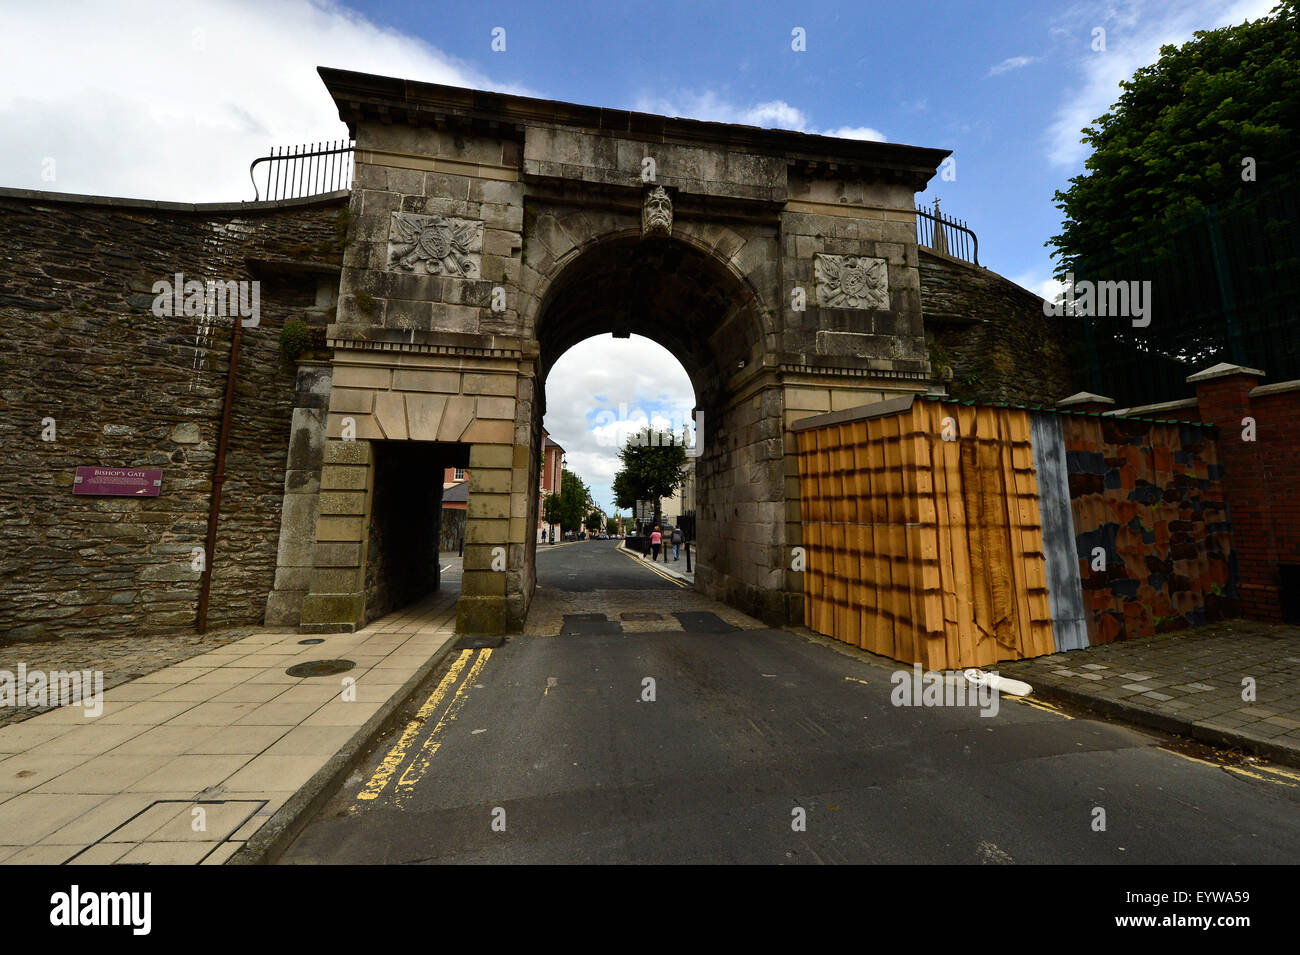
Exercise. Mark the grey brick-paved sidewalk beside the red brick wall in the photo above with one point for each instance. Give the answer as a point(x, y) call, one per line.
point(1189, 683)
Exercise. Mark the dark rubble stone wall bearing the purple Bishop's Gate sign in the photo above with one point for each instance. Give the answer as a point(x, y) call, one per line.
point(80, 345)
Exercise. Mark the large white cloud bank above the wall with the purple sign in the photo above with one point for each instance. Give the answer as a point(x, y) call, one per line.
point(141, 101)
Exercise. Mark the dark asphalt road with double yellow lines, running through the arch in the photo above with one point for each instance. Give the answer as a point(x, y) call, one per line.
point(552, 750)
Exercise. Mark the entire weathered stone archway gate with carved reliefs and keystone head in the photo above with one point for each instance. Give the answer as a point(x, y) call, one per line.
point(478, 223)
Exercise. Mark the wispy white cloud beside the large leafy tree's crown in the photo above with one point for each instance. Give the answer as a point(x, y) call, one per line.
point(1136, 32)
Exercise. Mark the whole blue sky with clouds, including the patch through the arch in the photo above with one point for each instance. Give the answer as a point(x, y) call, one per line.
point(172, 101)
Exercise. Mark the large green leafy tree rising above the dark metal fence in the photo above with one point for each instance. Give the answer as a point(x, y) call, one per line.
point(1184, 134)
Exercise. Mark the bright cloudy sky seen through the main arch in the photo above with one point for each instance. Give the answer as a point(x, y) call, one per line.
point(604, 389)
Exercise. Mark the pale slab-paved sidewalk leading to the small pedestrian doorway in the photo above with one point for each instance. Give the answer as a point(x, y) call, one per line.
point(193, 762)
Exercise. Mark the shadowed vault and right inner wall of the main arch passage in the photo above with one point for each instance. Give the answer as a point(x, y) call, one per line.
point(686, 298)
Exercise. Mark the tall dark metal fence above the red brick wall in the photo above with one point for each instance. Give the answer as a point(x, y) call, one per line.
point(1225, 286)
